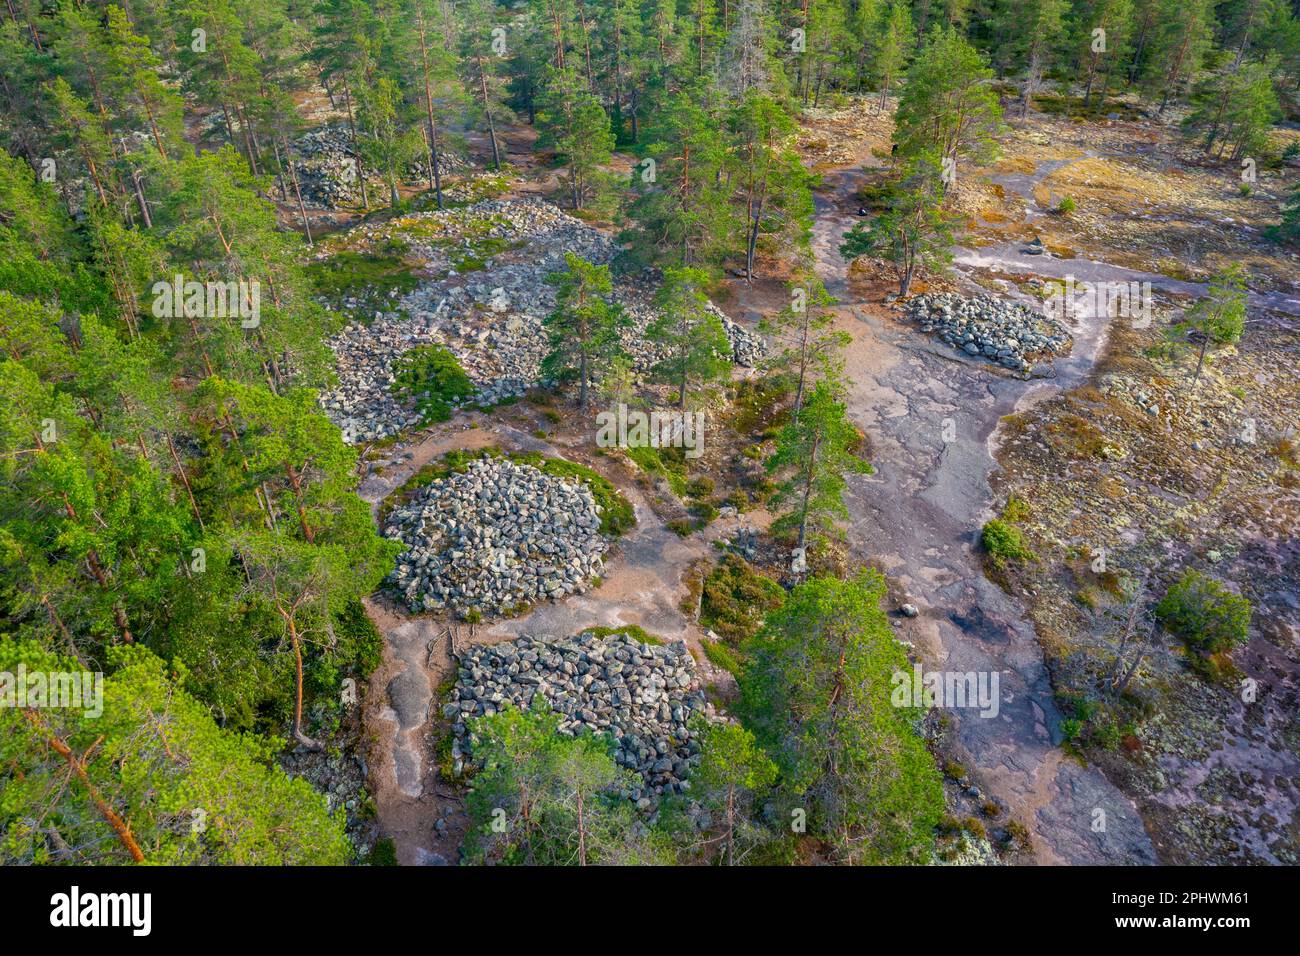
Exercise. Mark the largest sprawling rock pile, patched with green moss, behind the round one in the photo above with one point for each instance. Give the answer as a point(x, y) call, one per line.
point(491, 319)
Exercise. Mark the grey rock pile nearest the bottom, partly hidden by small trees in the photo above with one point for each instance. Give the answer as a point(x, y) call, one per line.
point(643, 695)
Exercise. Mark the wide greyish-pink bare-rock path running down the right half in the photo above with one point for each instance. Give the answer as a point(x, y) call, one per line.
point(931, 418)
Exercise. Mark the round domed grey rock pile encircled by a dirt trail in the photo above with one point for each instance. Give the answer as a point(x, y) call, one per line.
point(493, 538)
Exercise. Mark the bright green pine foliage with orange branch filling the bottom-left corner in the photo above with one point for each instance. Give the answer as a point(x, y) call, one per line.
point(161, 764)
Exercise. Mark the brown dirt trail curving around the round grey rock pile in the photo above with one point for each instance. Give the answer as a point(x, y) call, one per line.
point(643, 585)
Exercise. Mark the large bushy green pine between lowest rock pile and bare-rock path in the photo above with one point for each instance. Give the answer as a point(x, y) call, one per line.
point(817, 697)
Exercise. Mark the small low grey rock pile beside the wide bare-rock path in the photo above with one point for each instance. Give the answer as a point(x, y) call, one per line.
point(1003, 332)
